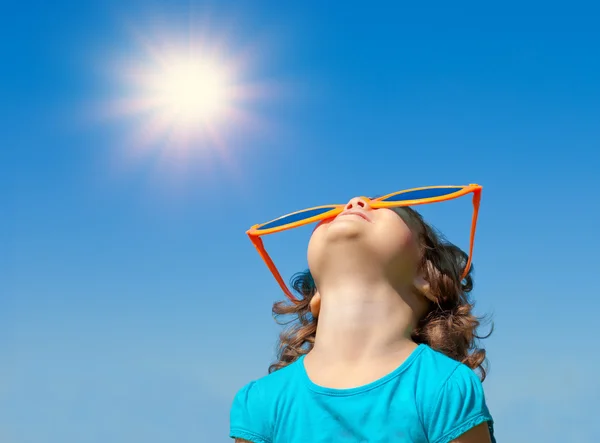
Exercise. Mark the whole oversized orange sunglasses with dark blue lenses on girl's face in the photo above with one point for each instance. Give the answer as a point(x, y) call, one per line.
point(408, 197)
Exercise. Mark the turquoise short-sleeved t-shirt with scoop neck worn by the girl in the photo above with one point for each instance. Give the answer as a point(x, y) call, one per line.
point(430, 398)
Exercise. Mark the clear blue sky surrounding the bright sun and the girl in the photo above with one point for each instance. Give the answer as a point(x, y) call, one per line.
point(132, 305)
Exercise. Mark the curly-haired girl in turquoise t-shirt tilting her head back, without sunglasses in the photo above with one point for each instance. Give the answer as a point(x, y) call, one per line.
point(384, 348)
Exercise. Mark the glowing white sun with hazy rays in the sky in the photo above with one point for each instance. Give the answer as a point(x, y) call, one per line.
point(184, 95)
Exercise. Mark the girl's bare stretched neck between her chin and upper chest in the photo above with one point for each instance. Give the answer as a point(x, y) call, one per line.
point(363, 322)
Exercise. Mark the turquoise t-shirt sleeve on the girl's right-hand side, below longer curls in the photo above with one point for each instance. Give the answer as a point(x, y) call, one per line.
point(460, 406)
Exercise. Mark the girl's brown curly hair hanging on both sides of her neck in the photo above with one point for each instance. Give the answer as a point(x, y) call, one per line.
point(449, 326)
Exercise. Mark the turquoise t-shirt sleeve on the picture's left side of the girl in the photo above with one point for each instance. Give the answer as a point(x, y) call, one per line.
point(248, 416)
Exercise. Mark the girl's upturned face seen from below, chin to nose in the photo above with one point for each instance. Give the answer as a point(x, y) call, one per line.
point(362, 239)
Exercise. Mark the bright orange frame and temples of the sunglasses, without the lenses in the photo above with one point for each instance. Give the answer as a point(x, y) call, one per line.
point(255, 233)
